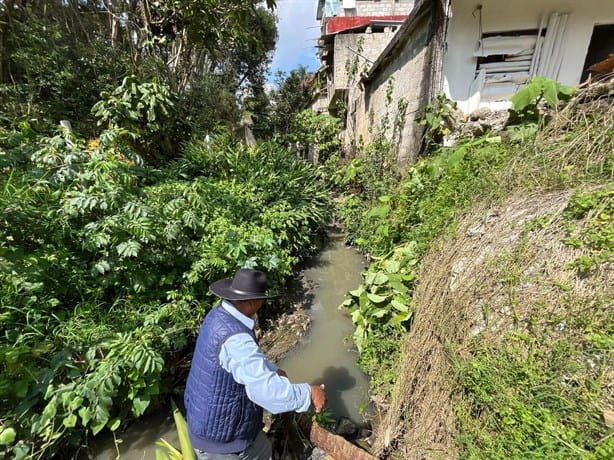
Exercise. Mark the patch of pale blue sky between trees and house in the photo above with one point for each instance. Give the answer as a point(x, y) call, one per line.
point(298, 34)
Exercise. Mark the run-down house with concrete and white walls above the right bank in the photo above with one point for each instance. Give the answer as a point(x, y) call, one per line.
point(479, 53)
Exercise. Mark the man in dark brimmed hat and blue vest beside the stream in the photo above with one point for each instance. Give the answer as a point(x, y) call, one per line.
point(231, 381)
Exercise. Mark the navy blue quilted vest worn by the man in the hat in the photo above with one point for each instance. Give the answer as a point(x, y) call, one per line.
point(221, 418)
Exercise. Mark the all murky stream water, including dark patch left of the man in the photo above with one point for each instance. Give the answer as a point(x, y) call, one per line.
point(326, 356)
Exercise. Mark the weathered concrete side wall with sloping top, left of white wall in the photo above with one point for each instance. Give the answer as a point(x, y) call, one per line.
point(370, 105)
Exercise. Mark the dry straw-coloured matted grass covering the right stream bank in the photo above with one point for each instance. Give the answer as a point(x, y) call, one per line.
point(458, 280)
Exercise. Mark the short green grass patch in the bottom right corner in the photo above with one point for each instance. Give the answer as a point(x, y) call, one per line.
point(540, 394)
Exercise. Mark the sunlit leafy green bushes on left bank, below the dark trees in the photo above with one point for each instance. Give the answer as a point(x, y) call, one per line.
point(106, 262)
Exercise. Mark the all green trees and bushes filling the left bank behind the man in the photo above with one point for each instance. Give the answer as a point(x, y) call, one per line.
point(111, 233)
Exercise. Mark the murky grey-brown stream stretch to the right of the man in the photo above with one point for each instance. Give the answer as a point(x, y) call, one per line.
point(327, 354)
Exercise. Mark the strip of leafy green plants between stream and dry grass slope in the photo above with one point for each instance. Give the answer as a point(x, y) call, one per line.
point(398, 229)
